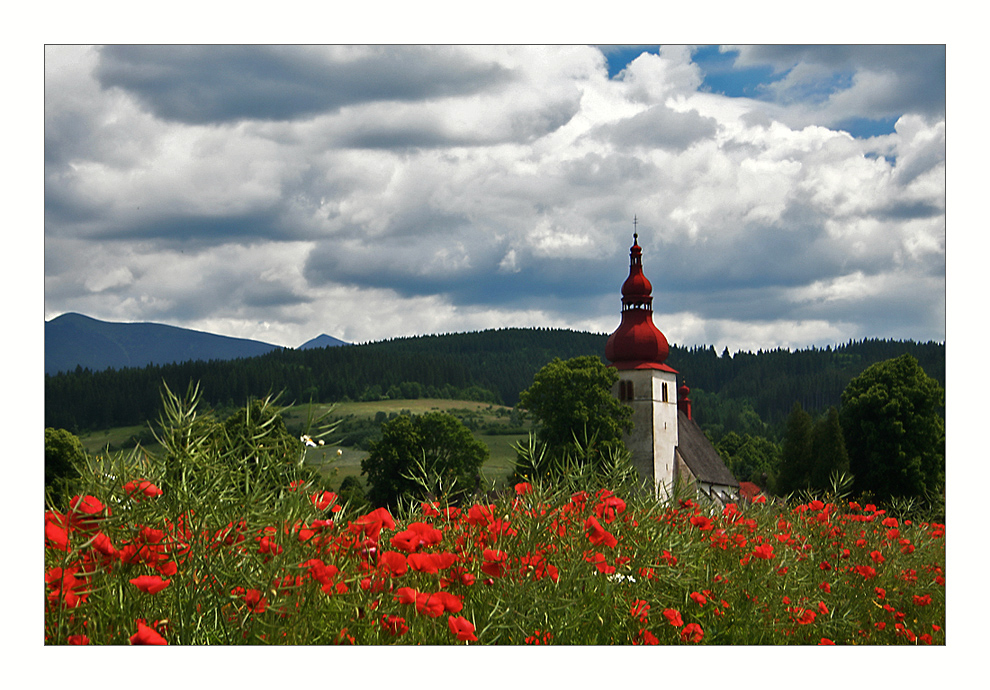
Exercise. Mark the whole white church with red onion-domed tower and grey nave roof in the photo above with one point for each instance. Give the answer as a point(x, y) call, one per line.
point(668, 447)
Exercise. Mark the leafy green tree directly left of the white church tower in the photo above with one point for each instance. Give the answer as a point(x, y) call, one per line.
point(573, 403)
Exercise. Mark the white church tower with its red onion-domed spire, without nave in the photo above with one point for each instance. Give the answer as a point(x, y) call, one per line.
point(637, 349)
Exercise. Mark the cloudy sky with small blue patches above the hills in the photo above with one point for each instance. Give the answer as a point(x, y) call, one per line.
point(784, 196)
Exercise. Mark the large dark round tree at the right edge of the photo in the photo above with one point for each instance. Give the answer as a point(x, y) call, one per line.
point(894, 430)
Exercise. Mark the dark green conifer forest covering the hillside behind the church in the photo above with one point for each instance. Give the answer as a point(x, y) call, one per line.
point(745, 392)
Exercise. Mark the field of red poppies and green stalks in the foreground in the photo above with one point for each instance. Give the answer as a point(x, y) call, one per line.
point(192, 552)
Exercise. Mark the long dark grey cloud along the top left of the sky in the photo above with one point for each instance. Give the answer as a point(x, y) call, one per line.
point(215, 84)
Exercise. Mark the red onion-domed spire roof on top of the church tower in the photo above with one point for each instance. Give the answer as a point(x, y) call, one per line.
point(637, 343)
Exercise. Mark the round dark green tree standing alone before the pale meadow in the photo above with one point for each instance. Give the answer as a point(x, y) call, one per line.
point(434, 447)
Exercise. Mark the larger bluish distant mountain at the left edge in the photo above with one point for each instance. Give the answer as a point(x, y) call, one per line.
point(74, 339)
